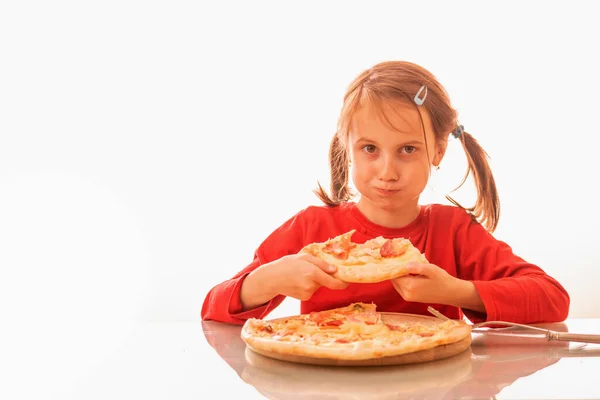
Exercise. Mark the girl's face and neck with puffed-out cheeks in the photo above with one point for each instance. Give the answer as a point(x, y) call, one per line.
point(390, 160)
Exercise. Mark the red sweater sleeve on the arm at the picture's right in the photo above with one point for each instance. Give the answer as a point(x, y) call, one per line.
point(511, 288)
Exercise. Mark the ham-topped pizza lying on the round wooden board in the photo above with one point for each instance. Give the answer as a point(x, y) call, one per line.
point(352, 333)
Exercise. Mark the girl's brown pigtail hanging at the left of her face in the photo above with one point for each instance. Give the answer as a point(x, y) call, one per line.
point(338, 164)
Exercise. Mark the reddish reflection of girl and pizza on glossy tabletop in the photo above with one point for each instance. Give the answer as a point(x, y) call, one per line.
point(492, 363)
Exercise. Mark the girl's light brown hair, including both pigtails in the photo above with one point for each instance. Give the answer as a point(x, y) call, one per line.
point(401, 80)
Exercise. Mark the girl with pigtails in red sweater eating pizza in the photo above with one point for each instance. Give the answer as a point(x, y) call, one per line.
point(393, 128)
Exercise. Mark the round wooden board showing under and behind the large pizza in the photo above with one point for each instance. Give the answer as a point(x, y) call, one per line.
point(435, 353)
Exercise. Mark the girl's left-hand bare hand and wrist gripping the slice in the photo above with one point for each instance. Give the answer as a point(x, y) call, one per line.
point(297, 276)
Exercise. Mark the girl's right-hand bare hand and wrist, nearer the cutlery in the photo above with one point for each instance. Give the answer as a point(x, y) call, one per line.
point(429, 283)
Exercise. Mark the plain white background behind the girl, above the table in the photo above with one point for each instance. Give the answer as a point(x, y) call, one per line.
point(147, 148)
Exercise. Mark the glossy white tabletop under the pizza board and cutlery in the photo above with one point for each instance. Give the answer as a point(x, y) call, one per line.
point(208, 360)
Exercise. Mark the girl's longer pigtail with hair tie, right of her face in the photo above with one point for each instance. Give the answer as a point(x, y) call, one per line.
point(487, 207)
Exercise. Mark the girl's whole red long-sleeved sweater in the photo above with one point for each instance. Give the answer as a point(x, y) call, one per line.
point(511, 288)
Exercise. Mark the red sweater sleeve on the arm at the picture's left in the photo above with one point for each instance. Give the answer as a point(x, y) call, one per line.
point(223, 302)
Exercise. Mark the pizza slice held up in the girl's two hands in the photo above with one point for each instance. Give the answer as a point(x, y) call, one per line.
point(375, 260)
